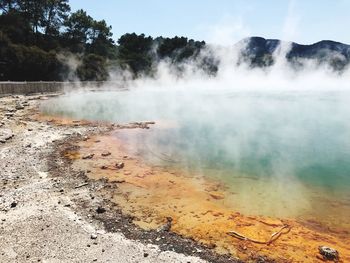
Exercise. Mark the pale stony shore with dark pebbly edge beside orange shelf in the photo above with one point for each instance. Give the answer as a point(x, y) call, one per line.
point(51, 213)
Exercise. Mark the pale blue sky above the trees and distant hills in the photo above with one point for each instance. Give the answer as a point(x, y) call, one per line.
point(225, 21)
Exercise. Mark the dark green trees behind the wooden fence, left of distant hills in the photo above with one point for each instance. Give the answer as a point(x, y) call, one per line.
point(37, 38)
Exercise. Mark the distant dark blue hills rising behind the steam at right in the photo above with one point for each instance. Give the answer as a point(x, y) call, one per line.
point(259, 51)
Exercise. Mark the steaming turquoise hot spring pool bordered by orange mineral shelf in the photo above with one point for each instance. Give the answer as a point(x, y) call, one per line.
point(279, 153)
